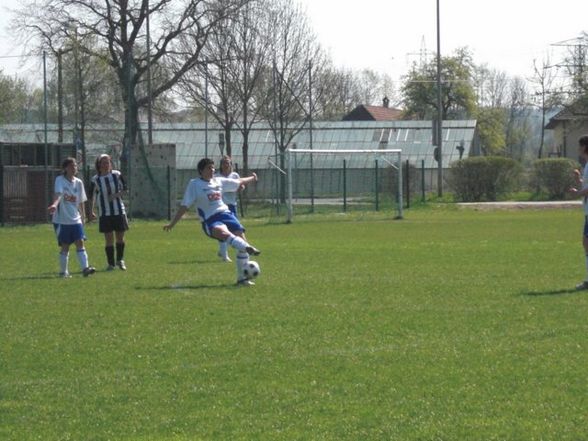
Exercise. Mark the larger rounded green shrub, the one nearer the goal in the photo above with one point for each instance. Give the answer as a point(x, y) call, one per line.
point(483, 178)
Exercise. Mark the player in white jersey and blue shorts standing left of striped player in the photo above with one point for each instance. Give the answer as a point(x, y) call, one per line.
point(68, 216)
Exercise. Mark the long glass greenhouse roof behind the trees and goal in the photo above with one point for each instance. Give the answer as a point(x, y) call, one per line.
point(414, 138)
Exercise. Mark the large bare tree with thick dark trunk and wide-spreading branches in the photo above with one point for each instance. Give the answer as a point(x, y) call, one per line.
point(119, 29)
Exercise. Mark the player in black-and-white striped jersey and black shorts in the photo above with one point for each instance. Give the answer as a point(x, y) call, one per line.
point(106, 189)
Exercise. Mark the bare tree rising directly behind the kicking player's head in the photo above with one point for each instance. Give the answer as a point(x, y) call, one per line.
point(237, 56)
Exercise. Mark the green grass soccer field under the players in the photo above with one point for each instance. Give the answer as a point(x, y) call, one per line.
point(448, 325)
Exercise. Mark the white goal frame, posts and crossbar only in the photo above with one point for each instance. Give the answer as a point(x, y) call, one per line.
point(377, 153)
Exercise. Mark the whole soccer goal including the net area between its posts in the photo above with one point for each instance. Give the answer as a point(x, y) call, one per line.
point(346, 178)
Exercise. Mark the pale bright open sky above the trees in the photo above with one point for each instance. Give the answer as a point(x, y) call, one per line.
point(388, 35)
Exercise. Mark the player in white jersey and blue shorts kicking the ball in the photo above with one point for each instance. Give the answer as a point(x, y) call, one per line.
point(217, 221)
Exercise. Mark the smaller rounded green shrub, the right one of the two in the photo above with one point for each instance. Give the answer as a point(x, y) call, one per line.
point(553, 176)
